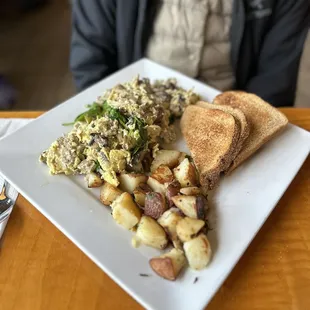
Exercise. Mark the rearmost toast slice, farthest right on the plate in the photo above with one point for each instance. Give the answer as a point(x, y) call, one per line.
point(265, 121)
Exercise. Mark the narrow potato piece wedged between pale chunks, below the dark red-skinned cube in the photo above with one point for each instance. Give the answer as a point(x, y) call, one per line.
point(169, 221)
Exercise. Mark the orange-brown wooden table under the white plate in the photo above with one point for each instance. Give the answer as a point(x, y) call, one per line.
point(41, 269)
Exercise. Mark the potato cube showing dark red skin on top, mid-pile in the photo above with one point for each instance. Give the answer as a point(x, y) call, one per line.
point(155, 205)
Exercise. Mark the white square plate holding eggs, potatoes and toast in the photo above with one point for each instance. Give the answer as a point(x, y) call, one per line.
point(240, 205)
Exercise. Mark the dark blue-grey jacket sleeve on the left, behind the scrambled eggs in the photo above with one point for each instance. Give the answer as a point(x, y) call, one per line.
point(93, 41)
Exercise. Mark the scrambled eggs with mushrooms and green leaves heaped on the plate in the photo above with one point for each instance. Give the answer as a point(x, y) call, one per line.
point(121, 131)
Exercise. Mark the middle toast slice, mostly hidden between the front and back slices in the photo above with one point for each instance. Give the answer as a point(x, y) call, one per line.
point(238, 115)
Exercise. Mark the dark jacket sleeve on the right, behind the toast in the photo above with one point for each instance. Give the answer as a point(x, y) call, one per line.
point(278, 63)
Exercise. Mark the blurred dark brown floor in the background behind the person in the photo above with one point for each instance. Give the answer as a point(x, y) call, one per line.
point(34, 56)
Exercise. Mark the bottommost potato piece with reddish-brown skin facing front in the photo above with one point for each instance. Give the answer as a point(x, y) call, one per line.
point(169, 265)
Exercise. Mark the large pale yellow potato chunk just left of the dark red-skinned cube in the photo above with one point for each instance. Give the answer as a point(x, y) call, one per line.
point(125, 212)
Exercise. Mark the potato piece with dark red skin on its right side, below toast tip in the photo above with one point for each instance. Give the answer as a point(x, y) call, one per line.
point(191, 206)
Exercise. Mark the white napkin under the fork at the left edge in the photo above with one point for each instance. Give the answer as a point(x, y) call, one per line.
point(8, 126)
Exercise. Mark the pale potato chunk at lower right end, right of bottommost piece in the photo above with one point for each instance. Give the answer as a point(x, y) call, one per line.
point(198, 252)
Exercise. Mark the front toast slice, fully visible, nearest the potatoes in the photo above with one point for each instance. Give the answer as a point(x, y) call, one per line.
point(212, 136)
